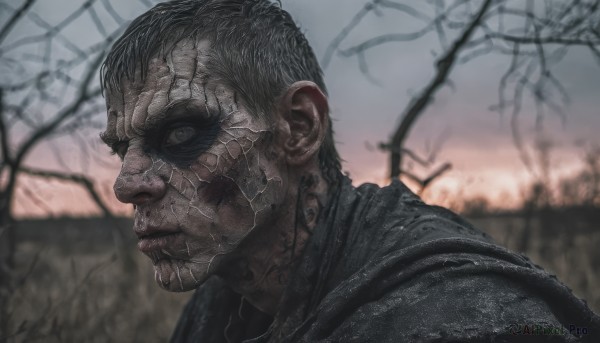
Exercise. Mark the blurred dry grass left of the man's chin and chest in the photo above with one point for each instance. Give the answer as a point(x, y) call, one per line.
point(79, 288)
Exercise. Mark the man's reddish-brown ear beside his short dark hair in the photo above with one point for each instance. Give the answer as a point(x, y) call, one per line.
point(304, 111)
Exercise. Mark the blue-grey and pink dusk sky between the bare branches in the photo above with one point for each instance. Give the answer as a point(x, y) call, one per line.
point(477, 141)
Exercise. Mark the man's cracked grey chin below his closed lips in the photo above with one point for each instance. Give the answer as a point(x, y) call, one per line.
point(179, 275)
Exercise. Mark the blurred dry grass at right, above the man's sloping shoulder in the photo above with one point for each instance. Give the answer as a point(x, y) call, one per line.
point(565, 243)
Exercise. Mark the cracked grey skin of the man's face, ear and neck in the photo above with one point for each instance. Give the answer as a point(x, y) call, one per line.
point(233, 210)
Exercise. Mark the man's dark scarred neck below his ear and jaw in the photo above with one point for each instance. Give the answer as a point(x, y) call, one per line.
point(262, 269)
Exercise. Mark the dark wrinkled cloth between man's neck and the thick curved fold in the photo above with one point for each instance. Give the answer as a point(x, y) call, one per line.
point(392, 218)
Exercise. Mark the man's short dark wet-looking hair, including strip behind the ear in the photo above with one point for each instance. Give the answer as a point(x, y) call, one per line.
point(256, 49)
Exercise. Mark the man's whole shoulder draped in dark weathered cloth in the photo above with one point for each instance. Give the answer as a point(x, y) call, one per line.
point(429, 275)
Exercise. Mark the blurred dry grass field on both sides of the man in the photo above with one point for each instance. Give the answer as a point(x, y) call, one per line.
point(72, 285)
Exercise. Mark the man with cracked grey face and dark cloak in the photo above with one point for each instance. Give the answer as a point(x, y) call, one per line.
point(219, 113)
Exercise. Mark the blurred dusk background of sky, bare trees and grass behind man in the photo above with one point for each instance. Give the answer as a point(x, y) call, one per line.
point(488, 107)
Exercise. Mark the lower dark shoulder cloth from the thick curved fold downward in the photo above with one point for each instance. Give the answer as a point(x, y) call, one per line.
point(450, 293)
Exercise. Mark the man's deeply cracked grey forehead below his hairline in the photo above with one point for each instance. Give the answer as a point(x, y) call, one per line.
point(178, 77)
